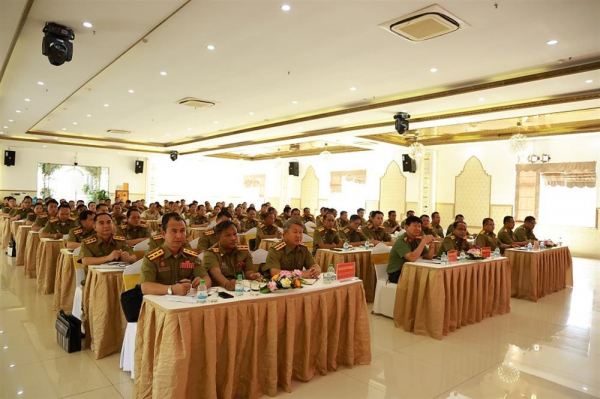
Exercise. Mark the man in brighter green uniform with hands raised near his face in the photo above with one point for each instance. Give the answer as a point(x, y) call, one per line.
point(409, 247)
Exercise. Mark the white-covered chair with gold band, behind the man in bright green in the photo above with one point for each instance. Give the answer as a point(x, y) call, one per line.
point(385, 292)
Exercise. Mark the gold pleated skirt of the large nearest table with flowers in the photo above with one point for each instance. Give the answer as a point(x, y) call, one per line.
point(250, 348)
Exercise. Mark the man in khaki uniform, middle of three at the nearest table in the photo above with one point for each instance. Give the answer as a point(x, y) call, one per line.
point(226, 259)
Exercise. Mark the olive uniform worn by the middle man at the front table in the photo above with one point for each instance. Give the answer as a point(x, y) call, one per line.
point(230, 263)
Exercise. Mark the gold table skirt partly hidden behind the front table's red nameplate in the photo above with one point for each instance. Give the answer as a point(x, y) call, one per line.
point(364, 267)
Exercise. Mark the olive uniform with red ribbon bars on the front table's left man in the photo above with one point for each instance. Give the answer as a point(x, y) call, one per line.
point(162, 267)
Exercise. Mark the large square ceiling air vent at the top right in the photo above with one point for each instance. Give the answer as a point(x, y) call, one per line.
point(424, 24)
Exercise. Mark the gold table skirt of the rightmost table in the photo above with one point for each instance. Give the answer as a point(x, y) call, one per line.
point(539, 273)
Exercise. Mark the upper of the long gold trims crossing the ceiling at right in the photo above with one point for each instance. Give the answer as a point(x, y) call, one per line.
point(409, 98)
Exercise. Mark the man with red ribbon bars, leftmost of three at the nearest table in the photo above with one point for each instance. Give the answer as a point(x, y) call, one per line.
point(172, 268)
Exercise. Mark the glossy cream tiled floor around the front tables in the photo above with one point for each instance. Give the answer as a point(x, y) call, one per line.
point(549, 349)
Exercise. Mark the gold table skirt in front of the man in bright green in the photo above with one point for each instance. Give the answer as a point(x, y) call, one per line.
point(435, 302)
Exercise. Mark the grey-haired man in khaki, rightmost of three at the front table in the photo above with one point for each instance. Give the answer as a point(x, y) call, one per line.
point(291, 254)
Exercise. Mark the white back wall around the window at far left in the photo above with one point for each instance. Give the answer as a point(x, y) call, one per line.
point(23, 176)
